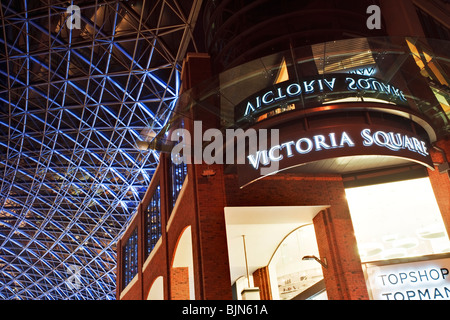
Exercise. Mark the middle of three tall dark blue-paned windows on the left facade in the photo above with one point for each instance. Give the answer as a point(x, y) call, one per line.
point(153, 221)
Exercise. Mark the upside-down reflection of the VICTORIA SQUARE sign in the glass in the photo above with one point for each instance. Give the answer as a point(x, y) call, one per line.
point(336, 86)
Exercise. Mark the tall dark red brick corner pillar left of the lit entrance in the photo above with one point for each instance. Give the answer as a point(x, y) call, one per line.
point(211, 253)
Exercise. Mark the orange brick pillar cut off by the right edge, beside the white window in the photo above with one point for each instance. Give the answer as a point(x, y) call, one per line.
point(440, 181)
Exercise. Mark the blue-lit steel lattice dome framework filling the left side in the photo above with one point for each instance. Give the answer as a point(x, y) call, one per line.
point(75, 106)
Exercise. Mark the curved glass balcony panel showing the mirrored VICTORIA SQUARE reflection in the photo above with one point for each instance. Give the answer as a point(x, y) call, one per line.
point(402, 72)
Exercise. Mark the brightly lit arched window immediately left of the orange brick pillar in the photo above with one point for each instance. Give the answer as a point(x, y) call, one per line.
point(290, 275)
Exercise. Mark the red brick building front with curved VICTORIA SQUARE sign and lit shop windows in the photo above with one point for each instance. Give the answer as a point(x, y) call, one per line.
point(339, 192)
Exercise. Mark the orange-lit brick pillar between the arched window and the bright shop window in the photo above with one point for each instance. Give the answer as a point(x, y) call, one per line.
point(344, 278)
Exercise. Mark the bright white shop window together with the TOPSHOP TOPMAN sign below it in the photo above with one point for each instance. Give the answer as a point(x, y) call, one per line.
point(403, 232)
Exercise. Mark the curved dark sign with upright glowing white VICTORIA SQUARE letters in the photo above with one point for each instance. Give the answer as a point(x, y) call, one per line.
point(297, 148)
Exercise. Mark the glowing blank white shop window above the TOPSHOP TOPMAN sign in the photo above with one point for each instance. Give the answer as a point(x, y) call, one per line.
point(397, 220)
